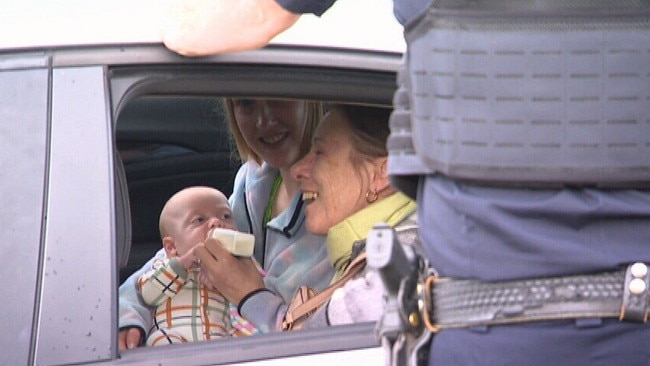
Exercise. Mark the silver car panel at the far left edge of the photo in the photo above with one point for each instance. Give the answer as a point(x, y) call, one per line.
point(23, 160)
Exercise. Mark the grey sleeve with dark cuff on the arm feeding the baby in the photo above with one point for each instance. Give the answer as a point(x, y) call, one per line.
point(265, 310)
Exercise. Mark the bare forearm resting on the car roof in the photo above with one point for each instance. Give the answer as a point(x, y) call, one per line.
point(204, 27)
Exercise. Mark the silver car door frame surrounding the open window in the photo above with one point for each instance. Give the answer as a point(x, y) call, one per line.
point(76, 310)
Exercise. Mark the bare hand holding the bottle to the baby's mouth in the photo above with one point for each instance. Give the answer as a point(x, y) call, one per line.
point(234, 277)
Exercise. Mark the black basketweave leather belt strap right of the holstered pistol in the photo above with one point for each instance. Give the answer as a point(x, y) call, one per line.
point(622, 294)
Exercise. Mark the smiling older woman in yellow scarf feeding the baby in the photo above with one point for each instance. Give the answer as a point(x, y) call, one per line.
point(345, 186)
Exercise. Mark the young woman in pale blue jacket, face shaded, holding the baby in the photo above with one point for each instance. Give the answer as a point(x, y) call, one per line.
point(270, 136)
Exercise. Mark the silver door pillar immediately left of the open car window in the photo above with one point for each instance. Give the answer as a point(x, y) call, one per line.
point(78, 275)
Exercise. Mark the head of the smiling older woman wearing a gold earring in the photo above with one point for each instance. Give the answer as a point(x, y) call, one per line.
point(345, 169)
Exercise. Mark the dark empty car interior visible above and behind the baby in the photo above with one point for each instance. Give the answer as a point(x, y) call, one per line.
point(167, 143)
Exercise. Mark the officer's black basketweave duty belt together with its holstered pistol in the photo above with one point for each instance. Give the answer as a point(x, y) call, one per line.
point(419, 303)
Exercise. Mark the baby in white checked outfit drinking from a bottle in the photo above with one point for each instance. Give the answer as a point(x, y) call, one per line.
point(185, 310)
